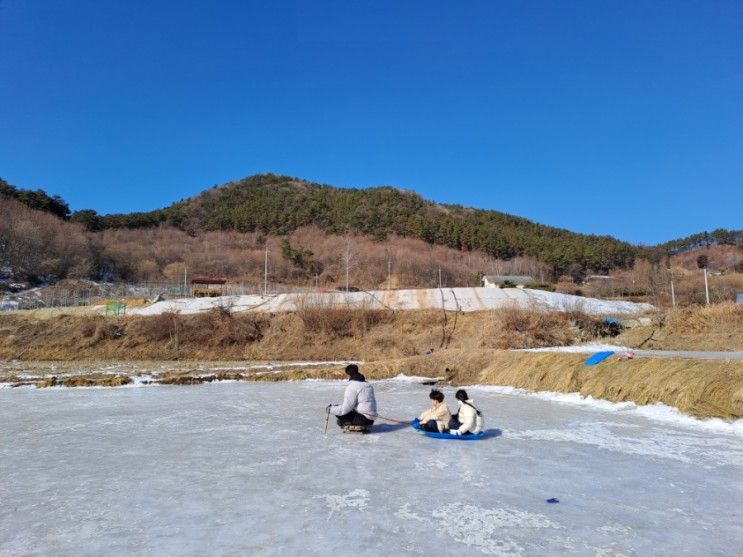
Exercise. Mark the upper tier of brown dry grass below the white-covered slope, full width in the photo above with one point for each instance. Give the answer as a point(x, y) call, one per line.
point(329, 333)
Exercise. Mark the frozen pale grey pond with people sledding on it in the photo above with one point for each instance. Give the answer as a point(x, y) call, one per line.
point(244, 469)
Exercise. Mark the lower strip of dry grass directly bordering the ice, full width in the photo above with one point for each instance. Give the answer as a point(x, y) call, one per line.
point(701, 388)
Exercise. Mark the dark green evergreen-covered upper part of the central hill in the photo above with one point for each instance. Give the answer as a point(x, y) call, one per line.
point(278, 205)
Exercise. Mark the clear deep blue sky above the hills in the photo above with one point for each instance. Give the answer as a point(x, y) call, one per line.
point(621, 118)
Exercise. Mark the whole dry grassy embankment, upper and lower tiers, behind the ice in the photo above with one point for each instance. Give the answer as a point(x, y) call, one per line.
point(467, 348)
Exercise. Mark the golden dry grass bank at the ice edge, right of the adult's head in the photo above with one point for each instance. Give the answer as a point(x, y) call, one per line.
point(700, 388)
